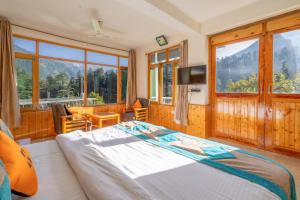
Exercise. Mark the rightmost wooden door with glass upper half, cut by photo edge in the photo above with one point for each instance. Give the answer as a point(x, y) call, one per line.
point(283, 89)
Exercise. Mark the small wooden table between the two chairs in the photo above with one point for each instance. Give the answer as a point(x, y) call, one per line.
point(98, 118)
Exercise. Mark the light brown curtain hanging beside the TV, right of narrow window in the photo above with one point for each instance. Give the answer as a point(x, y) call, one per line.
point(182, 104)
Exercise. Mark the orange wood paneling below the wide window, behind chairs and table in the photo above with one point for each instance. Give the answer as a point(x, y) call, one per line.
point(38, 124)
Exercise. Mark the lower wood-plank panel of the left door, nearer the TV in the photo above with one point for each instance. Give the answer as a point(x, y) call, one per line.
point(237, 118)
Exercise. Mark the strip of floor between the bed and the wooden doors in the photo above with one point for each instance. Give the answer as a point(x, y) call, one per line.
point(291, 163)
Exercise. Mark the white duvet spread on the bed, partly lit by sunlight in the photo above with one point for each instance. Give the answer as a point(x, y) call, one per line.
point(111, 164)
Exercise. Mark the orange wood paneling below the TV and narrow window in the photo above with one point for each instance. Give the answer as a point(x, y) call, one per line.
point(163, 115)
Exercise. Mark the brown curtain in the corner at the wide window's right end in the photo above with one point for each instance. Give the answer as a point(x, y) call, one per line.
point(131, 80)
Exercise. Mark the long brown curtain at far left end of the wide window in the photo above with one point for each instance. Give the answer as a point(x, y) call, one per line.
point(9, 101)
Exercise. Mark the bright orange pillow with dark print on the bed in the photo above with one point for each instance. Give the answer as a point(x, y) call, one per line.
point(19, 166)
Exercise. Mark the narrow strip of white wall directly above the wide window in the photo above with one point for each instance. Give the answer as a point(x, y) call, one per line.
point(44, 36)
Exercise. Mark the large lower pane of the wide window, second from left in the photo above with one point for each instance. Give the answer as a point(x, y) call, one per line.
point(61, 82)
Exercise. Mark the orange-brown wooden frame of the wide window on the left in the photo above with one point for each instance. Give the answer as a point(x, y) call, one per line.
point(35, 68)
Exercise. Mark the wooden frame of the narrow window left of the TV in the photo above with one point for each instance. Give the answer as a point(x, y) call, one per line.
point(159, 65)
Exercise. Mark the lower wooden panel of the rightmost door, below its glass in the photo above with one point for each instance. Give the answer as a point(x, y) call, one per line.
point(285, 124)
